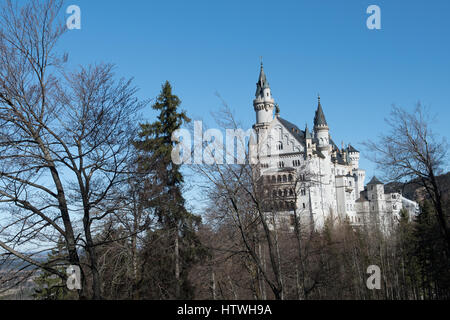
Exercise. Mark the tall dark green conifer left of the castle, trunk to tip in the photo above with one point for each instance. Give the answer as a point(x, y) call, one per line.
point(164, 197)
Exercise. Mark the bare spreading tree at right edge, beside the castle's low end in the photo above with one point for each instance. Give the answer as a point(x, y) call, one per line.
point(411, 151)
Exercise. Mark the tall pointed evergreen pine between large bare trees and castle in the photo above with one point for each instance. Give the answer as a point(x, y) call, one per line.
point(164, 194)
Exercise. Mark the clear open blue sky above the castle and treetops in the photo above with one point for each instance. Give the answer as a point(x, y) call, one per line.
point(308, 47)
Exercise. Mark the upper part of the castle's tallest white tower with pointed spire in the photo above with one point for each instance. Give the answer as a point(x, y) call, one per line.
point(264, 103)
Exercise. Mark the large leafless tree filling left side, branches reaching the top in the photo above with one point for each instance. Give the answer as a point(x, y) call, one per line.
point(64, 140)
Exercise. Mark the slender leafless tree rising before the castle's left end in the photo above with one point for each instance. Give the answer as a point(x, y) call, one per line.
point(236, 193)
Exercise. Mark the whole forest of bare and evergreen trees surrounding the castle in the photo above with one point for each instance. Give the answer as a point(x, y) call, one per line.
point(85, 182)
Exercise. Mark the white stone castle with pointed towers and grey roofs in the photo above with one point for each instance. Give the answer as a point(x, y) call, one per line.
point(305, 172)
